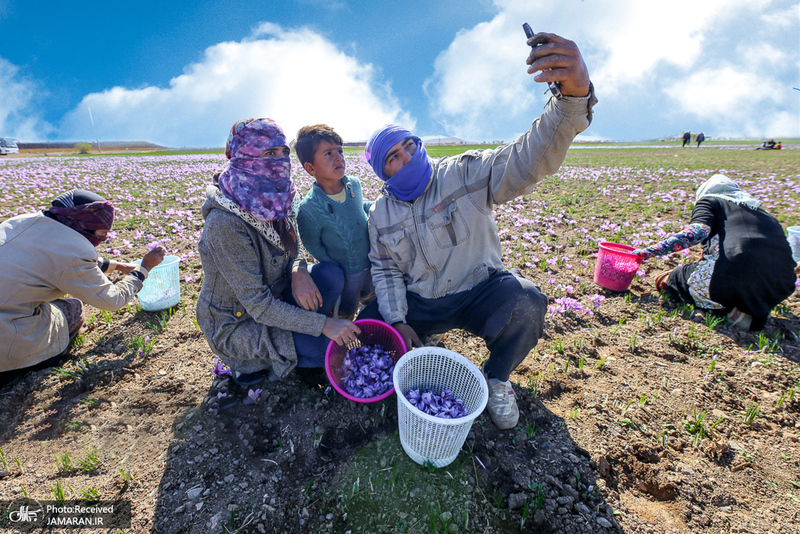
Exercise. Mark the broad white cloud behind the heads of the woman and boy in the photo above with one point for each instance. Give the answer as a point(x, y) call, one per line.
point(295, 77)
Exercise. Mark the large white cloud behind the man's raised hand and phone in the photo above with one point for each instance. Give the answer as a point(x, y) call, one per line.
point(671, 62)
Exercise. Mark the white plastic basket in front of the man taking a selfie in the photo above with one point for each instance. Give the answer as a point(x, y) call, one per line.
point(425, 438)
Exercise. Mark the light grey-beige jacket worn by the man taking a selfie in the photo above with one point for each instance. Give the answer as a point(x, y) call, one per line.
point(446, 240)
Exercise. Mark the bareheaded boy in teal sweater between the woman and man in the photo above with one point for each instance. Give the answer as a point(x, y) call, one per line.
point(332, 218)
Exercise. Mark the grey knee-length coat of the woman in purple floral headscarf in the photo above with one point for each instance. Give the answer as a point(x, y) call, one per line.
point(240, 308)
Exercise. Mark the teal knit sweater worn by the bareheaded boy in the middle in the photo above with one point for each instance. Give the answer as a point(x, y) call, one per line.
point(336, 231)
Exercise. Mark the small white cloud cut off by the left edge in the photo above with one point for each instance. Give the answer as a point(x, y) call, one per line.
point(17, 115)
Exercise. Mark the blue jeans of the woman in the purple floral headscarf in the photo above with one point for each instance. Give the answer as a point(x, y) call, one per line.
point(329, 279)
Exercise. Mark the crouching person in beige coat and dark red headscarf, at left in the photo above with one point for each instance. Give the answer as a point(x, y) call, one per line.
point(48, 254)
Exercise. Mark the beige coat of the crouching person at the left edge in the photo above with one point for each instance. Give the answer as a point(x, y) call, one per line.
point(41, 260)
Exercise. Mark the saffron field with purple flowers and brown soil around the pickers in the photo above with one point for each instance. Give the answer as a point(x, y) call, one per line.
point(637, 414)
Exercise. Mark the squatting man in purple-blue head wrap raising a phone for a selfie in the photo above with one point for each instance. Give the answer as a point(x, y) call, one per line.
point(435, 252)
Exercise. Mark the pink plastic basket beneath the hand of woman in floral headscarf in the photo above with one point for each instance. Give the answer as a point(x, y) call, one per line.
point(373, 332)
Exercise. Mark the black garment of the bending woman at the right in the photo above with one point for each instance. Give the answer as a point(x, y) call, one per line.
point(754, 271)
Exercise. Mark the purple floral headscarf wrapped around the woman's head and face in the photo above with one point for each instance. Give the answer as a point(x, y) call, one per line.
point(260, 186)
